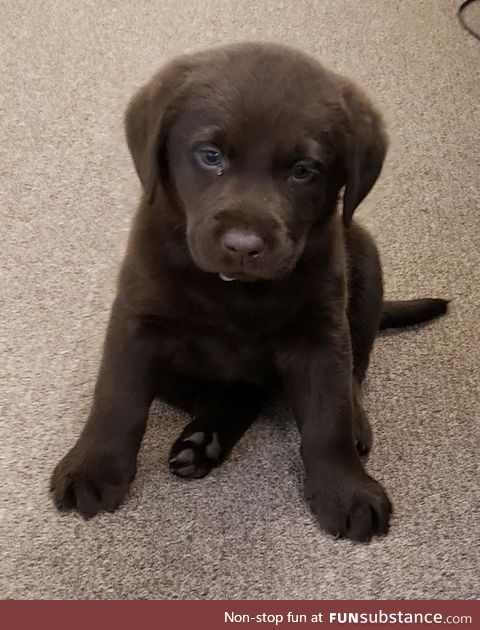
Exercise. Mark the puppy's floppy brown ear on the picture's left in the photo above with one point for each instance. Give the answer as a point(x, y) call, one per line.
point(147, 119)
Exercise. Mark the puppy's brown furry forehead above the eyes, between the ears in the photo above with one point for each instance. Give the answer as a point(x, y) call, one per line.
point(259, 113)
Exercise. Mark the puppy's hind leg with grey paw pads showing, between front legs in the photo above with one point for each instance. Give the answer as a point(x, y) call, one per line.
point(222, 415)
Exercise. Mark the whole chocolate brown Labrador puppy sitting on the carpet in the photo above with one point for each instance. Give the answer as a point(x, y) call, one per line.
point(241, 276)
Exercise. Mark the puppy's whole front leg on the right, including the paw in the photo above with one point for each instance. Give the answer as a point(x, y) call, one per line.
point(317, 374)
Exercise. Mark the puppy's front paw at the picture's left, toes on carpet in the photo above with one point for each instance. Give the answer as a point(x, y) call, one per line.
point(90, 479)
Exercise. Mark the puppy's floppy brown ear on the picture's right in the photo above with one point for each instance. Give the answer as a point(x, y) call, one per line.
point(365, 149)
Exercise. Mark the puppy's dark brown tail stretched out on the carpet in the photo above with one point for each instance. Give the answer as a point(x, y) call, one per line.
point(398, 313)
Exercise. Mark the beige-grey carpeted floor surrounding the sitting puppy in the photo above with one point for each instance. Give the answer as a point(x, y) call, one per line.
point(68, 191)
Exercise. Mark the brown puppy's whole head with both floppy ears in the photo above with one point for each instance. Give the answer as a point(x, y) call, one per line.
point(254, 143)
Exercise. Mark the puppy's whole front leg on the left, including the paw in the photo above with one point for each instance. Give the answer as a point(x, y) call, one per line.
point(96, 473)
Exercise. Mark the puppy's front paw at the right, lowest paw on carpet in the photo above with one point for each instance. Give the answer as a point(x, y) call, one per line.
point(349, 503)
